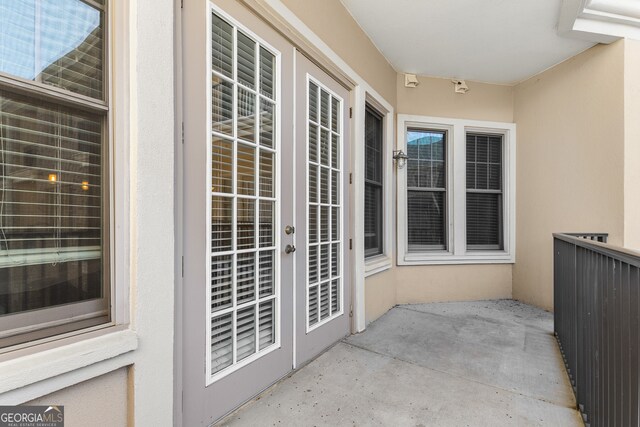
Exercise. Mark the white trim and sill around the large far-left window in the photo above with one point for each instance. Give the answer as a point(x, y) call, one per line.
point(40, 367)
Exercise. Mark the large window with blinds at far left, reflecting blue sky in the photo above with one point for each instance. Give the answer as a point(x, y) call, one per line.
point(53, 168)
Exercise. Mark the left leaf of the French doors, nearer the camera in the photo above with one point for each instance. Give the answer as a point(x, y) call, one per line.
point(237, 328)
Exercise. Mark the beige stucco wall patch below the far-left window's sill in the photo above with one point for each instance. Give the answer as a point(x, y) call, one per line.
point(99, 402)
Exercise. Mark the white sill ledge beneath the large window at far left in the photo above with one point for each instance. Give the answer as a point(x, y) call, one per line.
point(52, 361)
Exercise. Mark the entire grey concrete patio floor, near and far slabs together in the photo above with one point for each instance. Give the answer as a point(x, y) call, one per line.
point(483, 363)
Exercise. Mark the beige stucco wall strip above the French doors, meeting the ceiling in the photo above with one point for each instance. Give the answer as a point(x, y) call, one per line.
point(336, 27)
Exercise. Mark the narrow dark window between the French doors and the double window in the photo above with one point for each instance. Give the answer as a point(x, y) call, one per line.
point(373, 183)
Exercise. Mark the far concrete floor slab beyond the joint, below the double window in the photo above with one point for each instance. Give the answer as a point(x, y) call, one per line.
point(504, 343)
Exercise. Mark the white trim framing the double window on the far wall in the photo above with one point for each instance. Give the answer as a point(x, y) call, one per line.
point(456, 252)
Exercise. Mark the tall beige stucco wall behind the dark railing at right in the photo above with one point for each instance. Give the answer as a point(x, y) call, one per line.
point(569, 162)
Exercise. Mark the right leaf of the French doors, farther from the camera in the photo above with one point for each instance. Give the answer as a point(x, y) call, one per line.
point(322, 267)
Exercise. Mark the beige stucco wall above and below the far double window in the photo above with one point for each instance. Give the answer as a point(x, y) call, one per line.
point(418, 284)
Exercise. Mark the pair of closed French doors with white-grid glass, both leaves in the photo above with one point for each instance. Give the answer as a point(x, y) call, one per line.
point(260, 202)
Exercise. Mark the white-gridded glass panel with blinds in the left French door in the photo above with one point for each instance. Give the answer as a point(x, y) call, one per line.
point(244, 309)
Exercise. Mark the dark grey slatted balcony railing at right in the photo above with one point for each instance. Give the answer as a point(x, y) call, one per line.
point(596, 313)
